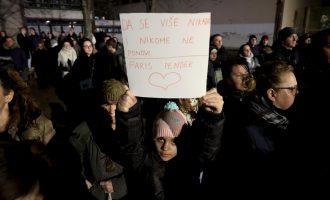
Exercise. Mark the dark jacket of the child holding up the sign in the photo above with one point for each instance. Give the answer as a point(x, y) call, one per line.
point(151, 178)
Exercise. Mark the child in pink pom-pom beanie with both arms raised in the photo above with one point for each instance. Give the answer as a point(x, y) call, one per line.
point(171, 167)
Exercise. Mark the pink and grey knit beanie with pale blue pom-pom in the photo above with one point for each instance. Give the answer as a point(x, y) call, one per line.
point(169, 122)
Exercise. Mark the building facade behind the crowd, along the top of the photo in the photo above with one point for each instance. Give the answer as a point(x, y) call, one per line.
point(231, 18)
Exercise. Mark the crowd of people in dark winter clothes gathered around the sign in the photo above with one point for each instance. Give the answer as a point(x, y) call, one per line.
point(258, 130)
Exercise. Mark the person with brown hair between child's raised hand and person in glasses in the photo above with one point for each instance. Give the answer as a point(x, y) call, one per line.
point(236, 88)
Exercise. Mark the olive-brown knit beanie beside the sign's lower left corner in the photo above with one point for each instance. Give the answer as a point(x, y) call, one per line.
point(112, 90)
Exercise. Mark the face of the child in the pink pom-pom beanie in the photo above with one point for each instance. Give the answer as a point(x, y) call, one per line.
point(166, 148)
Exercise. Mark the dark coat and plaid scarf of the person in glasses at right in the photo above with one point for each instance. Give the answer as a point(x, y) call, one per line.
point(270, 156)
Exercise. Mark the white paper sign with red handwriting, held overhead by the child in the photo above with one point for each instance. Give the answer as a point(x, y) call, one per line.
point(166, 53)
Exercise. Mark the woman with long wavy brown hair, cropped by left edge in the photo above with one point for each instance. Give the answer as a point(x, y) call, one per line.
point(20, 117)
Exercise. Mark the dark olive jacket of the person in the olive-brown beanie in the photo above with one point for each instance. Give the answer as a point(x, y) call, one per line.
point(96, 165)
